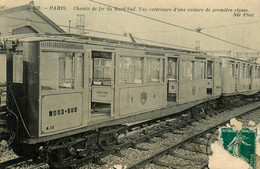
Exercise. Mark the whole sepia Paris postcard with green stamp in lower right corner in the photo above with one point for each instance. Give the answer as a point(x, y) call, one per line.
point(75, 74)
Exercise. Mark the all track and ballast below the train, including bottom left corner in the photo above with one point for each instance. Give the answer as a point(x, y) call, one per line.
point(176, 138)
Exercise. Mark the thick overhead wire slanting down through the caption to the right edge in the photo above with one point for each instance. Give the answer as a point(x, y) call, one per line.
point(178, 26)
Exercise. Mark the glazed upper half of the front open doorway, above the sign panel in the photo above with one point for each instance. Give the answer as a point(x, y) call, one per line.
point(102, 62)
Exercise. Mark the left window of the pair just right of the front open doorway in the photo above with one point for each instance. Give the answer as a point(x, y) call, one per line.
point(131, 70)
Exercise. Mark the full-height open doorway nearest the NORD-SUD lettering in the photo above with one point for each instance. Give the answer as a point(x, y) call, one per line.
point(102, 83)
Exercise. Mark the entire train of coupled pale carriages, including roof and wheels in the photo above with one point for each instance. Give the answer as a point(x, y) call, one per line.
point(83, 90)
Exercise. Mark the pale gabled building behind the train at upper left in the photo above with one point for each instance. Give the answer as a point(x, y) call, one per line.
point(21, 20)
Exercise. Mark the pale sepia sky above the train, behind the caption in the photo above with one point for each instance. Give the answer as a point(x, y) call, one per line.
point(216, 18)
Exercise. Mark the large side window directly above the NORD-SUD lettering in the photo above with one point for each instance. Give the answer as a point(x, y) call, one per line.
point(57, 70)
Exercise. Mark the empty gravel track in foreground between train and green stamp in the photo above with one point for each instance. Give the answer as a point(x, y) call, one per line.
point(175, 143)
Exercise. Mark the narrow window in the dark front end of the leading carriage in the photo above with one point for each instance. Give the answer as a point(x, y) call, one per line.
point(18, 67)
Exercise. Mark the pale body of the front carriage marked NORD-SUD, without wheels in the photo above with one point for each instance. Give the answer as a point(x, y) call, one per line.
point(57, 85)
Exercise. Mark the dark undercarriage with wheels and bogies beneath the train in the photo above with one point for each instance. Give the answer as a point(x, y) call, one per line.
point(83, 145)
